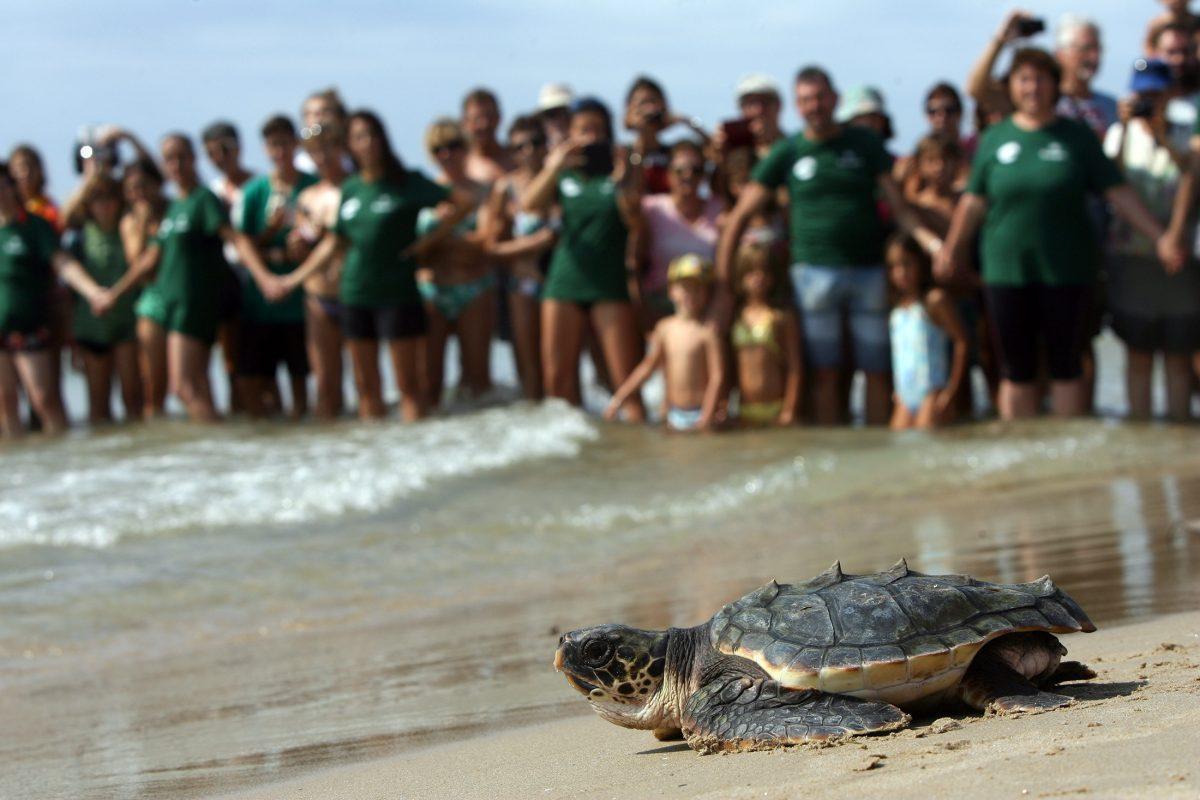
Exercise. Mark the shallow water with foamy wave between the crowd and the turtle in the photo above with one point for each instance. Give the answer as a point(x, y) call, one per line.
point(187, 610)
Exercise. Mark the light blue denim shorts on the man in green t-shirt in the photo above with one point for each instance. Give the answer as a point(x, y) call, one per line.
point(824, 294)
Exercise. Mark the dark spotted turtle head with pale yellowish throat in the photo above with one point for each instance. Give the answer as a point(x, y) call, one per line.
point(620, 670)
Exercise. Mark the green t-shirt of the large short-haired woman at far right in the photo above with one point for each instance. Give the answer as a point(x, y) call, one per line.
point(1039, 230)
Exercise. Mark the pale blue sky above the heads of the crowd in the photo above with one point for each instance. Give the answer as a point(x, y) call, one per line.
point(155, 67)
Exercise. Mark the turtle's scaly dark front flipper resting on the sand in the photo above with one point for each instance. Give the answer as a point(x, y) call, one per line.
point(736, 713)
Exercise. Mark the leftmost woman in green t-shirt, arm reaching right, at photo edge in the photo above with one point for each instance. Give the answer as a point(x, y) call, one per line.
point(29, 258)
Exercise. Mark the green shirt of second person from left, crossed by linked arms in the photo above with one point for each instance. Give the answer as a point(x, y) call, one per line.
point(103, 256)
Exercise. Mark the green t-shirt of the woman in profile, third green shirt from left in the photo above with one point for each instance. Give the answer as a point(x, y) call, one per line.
point(193, 263)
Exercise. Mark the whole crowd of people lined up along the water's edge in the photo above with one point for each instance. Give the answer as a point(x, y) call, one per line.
point(758, 272)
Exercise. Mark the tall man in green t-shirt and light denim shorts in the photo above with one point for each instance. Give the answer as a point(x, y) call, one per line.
point(833, 175)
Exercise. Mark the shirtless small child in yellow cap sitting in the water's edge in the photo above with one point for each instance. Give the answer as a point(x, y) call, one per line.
point(688, 350)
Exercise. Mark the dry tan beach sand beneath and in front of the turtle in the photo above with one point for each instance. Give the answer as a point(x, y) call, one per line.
point(1132, 733)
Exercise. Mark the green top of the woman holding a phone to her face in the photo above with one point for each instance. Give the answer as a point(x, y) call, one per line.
point(589, 264)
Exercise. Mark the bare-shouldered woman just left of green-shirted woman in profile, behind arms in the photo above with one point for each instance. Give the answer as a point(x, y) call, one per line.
point(146, 206)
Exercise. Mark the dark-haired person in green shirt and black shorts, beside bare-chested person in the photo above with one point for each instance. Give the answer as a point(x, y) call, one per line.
point(273, 334)
